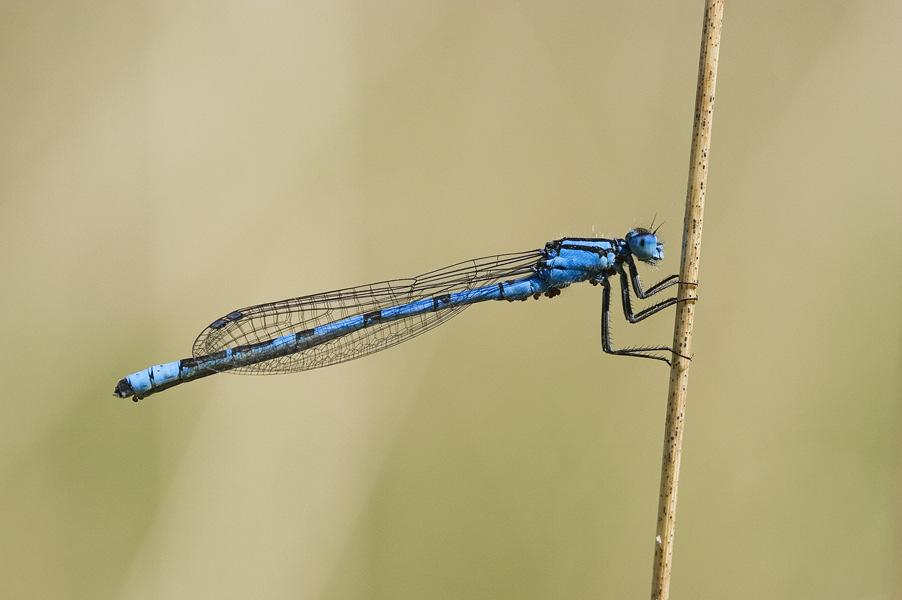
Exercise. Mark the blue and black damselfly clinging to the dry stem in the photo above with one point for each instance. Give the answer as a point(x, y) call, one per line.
point(332, 327)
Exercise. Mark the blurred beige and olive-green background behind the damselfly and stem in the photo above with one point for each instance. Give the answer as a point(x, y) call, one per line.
point(164, 163)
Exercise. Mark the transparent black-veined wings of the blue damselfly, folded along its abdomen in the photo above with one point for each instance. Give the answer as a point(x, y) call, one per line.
point(264, 322)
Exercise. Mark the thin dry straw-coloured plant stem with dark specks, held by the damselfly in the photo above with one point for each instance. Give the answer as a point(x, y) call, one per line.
point(682, 332)
